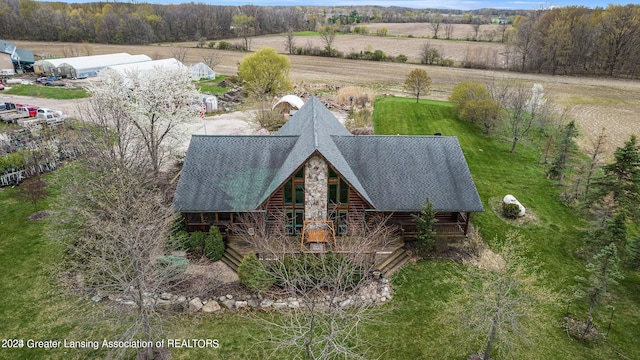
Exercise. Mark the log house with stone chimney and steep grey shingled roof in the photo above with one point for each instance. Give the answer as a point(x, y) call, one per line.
point(313, 170)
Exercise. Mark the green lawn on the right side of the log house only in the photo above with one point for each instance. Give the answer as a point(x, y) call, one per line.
point(553, 239)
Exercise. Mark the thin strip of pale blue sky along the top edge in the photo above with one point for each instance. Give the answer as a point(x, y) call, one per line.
point(416, 4)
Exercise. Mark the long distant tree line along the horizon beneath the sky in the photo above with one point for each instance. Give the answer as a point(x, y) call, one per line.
point(143, 23)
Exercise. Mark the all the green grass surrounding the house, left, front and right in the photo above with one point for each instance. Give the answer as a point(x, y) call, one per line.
point(34, 306)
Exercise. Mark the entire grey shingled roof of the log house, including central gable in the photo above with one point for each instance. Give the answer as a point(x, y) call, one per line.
point(395, 173)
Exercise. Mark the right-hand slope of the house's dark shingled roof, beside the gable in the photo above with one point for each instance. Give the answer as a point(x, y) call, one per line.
point(399, 172)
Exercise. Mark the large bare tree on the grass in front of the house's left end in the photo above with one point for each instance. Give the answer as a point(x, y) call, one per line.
point(115, 226)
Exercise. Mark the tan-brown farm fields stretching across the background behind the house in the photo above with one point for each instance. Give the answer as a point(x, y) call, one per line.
point(593, 102)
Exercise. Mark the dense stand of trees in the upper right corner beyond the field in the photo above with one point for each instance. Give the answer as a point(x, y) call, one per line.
point(576, 40)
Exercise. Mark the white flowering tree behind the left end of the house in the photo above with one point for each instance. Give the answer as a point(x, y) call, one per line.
point(147, 111)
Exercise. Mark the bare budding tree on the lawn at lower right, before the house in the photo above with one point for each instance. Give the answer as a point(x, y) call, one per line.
point(497, 302)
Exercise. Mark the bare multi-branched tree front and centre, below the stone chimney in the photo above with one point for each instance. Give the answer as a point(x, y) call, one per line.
point(326, 322)
